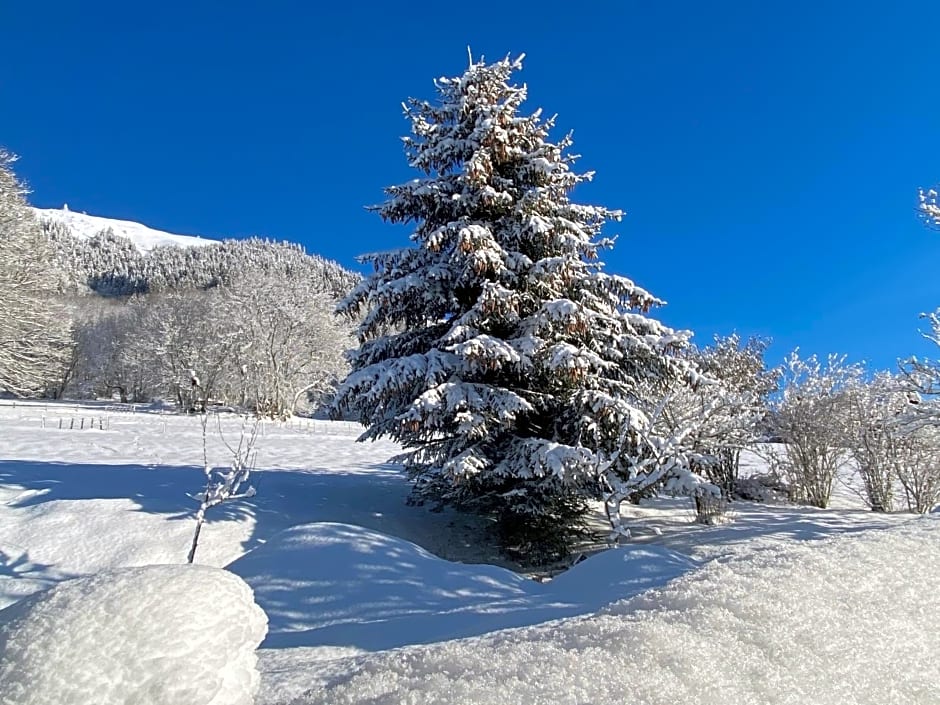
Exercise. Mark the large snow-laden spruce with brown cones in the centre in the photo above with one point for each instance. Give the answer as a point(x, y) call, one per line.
point(495, 349)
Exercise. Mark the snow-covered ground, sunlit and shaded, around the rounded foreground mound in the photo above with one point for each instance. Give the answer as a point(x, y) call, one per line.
point(748, 611)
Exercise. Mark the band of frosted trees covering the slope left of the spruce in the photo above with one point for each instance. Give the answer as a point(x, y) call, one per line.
point(246, 323)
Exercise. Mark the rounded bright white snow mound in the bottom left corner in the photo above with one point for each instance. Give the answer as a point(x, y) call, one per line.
point(157, 635)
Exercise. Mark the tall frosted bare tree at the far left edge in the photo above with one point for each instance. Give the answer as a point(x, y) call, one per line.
point(35, 338)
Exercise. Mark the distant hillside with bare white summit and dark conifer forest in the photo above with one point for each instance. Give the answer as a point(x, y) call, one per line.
point(108, 257)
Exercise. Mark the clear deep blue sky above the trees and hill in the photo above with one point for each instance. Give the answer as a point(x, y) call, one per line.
point(767, 154)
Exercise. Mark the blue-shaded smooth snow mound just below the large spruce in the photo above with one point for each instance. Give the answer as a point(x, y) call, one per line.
point(331, 584)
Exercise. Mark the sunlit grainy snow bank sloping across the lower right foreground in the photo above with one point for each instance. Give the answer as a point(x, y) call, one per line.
point(849, 620)
